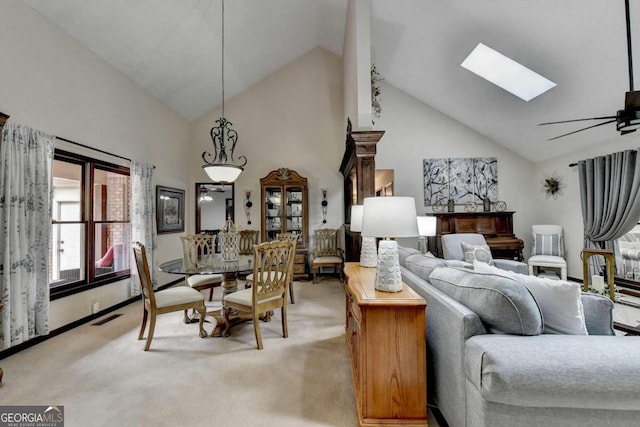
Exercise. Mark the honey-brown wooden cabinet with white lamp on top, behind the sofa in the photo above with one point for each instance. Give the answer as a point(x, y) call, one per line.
point(387, 341)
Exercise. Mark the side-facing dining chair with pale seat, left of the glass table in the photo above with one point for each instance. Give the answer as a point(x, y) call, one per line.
point(179, 298)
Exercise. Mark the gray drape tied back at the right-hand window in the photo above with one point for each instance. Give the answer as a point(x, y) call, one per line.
point(609, 194)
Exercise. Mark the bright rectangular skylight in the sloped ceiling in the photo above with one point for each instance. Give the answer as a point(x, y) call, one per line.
point(506, 73)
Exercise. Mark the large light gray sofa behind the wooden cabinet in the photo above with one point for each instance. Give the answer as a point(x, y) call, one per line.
point(479, 375)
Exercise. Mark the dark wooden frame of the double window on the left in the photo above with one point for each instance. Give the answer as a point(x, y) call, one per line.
point(89, 165)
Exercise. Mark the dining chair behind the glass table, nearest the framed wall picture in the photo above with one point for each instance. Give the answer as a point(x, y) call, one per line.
point(195, 248)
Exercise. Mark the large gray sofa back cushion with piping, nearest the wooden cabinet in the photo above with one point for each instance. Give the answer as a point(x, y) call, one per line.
point(503, 304)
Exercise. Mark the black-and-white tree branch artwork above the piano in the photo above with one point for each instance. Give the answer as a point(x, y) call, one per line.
point(463, 180)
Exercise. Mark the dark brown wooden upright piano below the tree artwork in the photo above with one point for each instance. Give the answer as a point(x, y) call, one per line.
point(497, 228)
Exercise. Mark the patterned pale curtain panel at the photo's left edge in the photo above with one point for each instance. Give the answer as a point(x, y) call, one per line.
point(26, 157)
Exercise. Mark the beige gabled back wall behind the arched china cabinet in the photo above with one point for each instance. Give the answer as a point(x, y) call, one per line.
point(293, 119)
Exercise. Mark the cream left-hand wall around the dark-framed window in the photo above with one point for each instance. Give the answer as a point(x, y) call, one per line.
point(52, 83)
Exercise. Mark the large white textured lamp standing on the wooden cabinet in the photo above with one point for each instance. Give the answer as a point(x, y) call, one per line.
point(389, 217)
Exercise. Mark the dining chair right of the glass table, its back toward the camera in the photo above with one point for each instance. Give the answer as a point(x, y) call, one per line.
point(272, 268)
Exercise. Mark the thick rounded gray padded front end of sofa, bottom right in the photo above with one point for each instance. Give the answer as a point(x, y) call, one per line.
point(569, 371)
